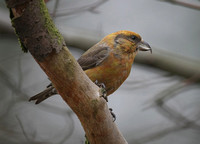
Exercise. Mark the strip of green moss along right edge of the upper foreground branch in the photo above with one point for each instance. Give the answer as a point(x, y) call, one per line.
point(52, 30)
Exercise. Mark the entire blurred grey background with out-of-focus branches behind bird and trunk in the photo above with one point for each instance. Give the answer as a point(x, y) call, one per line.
point(158, 104)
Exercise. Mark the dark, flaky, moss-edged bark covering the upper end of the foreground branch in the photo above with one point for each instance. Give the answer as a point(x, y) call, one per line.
point(35, 29)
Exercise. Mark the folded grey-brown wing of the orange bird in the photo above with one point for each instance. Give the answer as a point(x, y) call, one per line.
point(94, 56)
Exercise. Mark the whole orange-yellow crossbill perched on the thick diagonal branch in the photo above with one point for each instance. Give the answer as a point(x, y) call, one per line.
point(108, 62)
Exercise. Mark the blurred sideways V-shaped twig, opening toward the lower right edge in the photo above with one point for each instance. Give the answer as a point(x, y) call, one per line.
point(164, 109)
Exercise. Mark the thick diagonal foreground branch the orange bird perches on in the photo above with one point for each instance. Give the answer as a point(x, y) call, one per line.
point(38, 35)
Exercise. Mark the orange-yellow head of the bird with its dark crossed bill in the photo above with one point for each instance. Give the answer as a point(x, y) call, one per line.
point(128, 42)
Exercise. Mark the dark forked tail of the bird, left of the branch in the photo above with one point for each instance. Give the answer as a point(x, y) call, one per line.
point(49, 91)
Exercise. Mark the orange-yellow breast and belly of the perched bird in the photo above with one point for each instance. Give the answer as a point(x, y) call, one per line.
point(113, 71)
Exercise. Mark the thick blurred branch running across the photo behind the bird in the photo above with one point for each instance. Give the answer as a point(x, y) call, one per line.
point(170, 62)
